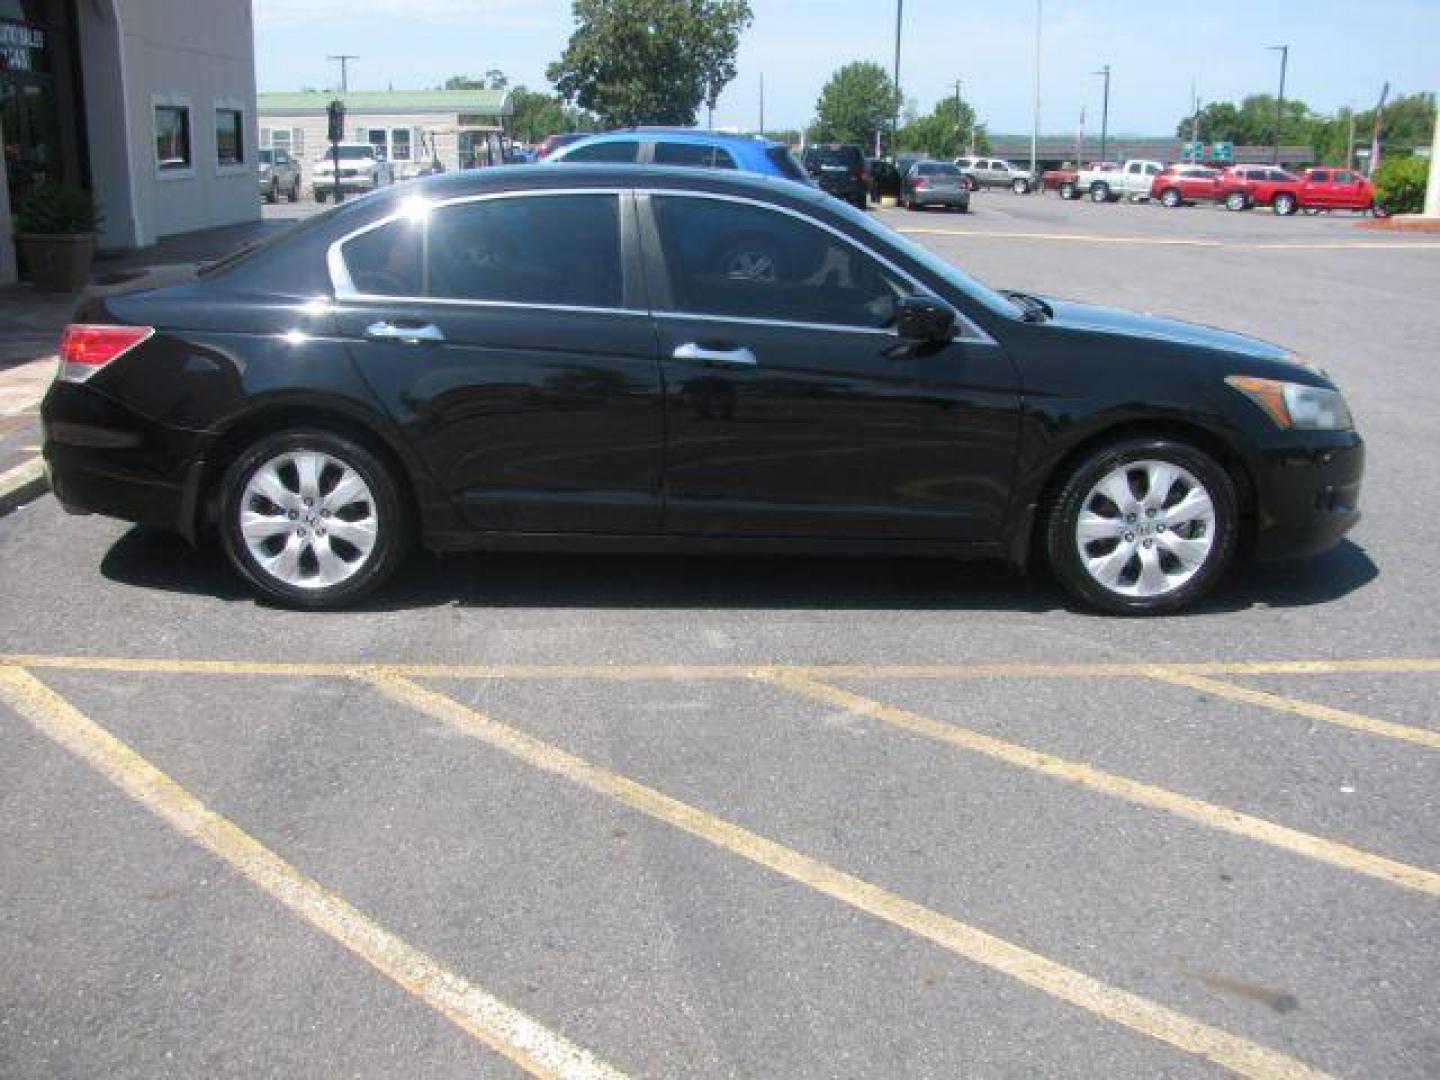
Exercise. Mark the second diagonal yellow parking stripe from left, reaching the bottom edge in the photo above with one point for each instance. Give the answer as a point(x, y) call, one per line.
point(1033, 970)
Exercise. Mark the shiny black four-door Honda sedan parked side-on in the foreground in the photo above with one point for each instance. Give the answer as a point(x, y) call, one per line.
point(676, 361)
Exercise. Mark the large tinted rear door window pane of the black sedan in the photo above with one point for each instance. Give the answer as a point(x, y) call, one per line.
point(562, 250)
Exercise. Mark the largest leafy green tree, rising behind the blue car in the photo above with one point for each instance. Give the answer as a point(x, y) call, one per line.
point(650, 61)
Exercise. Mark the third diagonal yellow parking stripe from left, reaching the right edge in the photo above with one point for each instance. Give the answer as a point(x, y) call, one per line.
point(1199, 811)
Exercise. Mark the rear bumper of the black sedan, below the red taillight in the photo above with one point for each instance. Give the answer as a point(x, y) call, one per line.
point(103, 459)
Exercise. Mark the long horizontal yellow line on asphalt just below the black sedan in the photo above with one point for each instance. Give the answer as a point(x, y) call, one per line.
point(669, 672)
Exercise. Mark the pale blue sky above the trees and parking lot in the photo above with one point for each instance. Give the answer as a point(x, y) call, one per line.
point(1341, 51)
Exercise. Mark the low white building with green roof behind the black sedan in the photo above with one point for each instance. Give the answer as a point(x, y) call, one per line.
point(459, 129)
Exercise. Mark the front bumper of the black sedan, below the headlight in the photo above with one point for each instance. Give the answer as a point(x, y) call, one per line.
point(1310, 495)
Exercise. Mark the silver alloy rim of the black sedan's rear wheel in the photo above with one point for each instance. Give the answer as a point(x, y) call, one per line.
point(309, 519)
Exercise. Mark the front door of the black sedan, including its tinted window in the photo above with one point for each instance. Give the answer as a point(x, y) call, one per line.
point(793, 407)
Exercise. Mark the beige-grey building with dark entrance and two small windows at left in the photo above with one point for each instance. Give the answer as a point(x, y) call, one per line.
point(148, 103)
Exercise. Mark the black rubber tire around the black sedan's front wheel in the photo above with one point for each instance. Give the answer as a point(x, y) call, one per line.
point(1063, 519)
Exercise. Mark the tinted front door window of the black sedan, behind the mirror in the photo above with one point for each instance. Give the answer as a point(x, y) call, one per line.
point(742, 261)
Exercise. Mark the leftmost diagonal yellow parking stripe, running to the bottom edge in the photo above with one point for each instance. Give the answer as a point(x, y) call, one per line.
point(508, 1032)
